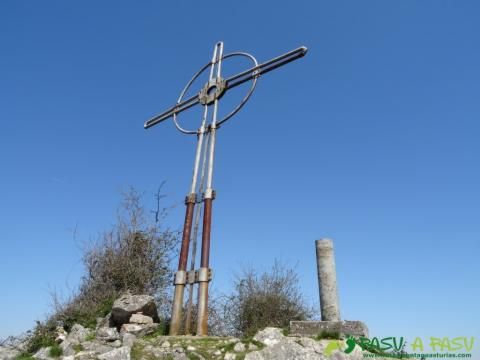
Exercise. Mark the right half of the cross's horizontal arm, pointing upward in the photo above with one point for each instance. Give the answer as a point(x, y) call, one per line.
point(264, 68)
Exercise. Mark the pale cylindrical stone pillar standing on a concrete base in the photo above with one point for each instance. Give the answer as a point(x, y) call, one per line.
point(327, 280)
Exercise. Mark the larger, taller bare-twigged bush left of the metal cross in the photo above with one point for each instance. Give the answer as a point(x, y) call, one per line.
point(134, 256)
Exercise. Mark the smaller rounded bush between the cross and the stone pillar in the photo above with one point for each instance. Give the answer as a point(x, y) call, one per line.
point(270, 298)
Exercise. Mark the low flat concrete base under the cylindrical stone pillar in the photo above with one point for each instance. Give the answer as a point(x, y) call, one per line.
point(314, 328)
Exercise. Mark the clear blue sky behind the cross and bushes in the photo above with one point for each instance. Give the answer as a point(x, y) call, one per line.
point(372, 140)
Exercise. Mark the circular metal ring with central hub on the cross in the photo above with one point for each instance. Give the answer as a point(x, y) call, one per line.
point(210, 92)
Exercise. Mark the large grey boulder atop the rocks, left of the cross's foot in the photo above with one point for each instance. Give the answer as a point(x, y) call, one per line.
point(124, 307)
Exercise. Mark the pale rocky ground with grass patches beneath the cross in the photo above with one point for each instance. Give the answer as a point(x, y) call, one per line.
point(131, 332)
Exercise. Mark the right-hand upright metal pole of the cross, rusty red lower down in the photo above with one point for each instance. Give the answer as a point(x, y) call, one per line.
point(204, 272)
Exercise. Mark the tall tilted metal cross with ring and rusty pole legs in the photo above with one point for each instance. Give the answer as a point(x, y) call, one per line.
point(209, 96)
